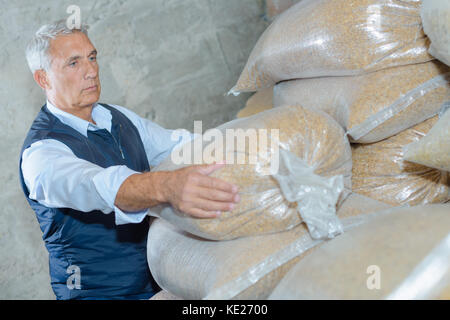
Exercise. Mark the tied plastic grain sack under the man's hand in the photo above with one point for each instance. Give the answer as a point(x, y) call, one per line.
point(312, 137)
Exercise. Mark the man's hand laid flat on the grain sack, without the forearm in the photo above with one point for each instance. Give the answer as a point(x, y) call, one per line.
point(192, 191)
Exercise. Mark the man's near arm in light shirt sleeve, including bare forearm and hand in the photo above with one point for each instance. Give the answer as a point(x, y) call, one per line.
point(56, 178)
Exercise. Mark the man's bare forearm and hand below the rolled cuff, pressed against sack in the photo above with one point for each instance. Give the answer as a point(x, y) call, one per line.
point(190, 190)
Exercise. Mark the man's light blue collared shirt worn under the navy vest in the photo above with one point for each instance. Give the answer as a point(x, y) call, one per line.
point(56, 178)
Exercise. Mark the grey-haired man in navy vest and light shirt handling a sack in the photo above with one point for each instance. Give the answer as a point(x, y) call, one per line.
point(83, 160)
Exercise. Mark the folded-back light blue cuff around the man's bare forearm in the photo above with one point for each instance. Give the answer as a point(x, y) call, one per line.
point(107, 183)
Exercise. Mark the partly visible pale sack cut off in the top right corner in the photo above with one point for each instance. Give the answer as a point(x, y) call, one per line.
point(436, 24)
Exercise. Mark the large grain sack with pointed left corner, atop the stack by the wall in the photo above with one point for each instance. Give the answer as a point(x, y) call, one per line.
point(322, 38)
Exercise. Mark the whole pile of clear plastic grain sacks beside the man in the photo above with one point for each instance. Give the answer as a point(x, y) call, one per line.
point(360, 106)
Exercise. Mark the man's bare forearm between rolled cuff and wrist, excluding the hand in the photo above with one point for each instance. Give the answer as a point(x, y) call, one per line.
point(141, 191)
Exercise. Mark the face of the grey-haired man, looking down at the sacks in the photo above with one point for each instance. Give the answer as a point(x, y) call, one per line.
point(73, 75)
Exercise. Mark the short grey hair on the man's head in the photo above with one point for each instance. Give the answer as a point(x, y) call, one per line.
point(37, 49)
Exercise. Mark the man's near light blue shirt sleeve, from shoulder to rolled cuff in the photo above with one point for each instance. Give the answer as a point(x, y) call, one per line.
point(56, 178)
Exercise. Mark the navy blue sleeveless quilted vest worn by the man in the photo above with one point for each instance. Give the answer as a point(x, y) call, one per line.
point(90, 256)
